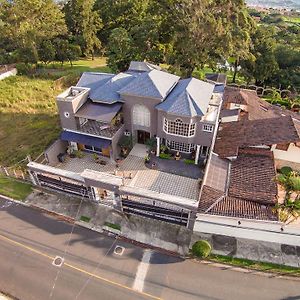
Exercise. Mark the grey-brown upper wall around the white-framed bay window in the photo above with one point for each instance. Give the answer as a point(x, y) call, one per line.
point(201, 137)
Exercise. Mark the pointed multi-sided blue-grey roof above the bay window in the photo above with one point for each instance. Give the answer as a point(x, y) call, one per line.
point(190, 97)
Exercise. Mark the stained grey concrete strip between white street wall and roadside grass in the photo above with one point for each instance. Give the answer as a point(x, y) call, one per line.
point(251, 249)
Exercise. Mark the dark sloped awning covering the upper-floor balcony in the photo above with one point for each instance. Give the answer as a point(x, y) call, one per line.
point(98, 111)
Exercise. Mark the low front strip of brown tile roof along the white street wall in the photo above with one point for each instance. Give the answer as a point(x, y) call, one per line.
point(234, 207)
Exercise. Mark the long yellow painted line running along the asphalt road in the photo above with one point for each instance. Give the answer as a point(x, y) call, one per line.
point(77, 268)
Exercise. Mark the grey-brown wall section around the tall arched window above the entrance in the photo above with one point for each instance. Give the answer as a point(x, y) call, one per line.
point(150, 103)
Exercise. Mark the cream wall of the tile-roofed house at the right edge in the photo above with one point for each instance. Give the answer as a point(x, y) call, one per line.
point(292, 155)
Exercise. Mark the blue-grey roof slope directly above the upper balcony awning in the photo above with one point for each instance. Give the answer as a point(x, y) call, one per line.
point(109, 91)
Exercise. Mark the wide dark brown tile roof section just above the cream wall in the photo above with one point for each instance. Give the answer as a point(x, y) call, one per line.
point(233, 135)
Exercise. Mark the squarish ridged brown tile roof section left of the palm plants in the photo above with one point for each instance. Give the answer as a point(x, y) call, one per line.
point(252, 176)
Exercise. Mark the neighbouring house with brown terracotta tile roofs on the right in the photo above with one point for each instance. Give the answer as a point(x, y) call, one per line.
point(253, 139)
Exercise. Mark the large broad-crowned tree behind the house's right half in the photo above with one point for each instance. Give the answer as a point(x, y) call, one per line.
point(208, 31)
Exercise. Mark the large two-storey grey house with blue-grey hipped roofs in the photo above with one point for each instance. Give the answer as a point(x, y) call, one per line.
point(142, 103)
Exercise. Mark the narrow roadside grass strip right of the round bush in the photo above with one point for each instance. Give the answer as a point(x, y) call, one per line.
point(259, 266)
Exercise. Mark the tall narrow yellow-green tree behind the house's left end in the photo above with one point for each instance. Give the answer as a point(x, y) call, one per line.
point(84, 24)
